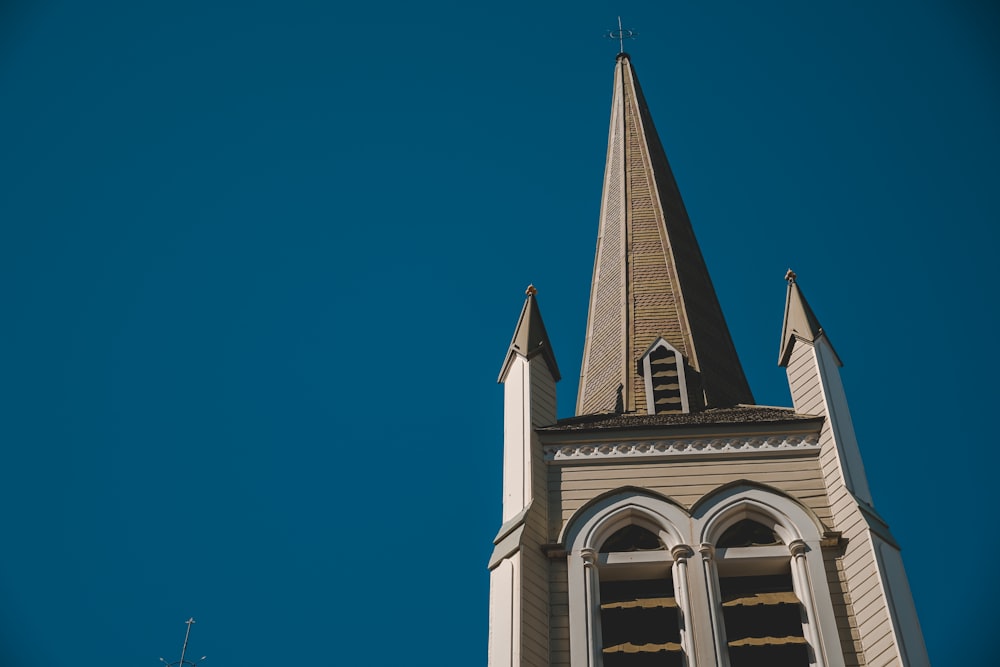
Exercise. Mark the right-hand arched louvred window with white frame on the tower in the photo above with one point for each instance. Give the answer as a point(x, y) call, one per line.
point(766, 581)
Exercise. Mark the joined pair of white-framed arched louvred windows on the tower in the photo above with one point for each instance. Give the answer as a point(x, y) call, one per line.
point(759, 597)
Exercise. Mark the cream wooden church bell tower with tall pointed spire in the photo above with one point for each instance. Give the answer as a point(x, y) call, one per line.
point(672, 521)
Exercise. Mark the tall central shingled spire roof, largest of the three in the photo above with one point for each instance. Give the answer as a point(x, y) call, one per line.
point(650, 280)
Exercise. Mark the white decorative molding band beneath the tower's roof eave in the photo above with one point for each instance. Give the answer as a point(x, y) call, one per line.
point(685, 447)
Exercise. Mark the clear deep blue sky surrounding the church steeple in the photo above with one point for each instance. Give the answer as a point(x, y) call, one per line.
point(260, 263)
